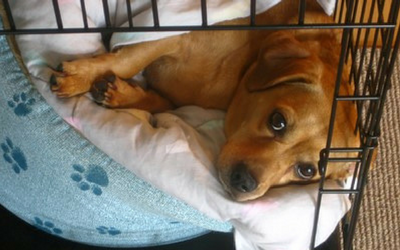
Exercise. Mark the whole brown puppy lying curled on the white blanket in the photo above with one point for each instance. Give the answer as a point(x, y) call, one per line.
point(276, 86)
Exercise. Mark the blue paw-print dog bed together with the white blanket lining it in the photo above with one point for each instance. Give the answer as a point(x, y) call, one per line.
point(125, 177)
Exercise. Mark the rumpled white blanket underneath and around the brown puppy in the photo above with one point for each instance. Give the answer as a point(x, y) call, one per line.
point(177, 155)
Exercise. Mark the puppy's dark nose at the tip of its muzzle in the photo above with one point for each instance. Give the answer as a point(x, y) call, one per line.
point(241, 179)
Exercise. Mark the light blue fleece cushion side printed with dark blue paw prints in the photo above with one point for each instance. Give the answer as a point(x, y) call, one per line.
point(53, 178)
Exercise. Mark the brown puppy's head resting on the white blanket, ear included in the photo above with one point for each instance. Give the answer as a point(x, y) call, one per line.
point(278, 120)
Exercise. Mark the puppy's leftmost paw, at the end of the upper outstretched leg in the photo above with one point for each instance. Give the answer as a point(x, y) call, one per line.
point(71, 79)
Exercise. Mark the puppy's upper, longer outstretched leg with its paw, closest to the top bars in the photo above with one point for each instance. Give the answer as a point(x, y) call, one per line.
point(77, 77)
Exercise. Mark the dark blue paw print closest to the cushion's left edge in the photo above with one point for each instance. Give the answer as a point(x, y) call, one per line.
point(14, 156)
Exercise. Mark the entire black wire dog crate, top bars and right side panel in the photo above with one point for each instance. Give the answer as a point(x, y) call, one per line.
point(368, 26)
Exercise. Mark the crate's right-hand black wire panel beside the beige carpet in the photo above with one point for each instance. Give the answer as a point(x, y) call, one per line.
point(371, 52)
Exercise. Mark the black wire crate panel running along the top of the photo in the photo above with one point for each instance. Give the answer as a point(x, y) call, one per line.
point(342, 10)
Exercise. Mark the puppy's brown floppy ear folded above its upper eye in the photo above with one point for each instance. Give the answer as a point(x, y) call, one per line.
point(282, 59)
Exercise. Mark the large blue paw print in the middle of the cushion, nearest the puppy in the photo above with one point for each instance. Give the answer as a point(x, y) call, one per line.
point(92, 178)
